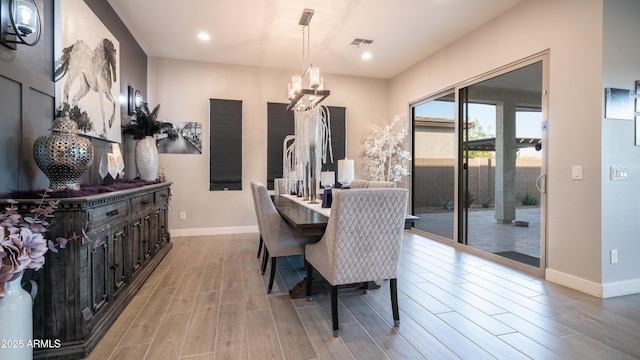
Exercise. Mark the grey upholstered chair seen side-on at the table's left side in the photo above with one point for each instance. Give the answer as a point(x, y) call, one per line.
point(280, 239)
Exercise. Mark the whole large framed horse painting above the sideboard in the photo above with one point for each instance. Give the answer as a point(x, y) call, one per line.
point(86, 72)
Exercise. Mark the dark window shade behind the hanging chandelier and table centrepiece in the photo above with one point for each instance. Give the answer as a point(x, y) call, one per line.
point(280, 124)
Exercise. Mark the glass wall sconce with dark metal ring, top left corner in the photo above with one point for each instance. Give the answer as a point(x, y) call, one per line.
point(19, 23)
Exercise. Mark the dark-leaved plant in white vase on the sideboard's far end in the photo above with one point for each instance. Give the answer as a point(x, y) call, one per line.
point(143, 127)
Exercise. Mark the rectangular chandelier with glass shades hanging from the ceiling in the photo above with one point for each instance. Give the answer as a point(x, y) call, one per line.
point(305, 98)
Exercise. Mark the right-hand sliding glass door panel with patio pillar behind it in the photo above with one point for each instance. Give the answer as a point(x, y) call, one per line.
point(501, 157)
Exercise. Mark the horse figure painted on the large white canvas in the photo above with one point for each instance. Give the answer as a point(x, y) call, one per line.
point(93, 70)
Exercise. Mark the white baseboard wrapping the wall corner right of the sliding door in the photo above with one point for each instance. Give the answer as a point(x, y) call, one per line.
point(618, 288)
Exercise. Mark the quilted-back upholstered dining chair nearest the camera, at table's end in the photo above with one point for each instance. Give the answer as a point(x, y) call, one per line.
point(362, 243)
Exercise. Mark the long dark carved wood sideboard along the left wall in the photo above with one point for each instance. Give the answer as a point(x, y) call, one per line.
point(84, 288)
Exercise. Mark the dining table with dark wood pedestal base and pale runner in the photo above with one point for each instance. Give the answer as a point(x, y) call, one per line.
point(310, 219)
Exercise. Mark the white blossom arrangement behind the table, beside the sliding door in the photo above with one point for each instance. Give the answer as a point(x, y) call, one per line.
point(382, 150)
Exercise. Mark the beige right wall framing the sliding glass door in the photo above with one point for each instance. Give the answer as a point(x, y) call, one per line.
point(571, 31)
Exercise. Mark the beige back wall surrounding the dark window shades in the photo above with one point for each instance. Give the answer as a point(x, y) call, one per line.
point(183, 89)
